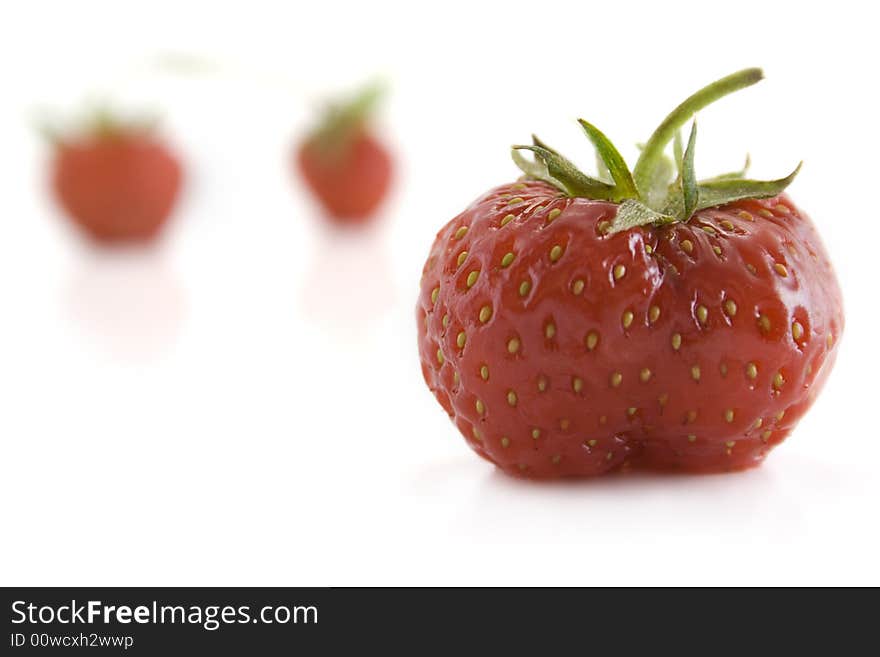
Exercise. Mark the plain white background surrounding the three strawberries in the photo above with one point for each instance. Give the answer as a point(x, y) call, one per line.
point(243, 403)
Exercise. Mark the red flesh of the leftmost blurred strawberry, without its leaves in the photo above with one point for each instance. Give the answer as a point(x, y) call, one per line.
point(118, 187)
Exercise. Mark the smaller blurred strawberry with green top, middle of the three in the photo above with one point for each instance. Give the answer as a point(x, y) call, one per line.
point(345, 165)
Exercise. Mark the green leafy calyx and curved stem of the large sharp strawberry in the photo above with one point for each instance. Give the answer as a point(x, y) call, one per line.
point(659, 189)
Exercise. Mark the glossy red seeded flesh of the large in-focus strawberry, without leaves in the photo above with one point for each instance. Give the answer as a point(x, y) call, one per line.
point(637, 423)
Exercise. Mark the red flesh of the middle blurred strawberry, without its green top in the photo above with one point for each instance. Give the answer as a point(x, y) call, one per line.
point(350, 184)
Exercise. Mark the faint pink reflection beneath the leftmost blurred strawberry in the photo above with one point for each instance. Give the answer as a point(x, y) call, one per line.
point(127, 301)
